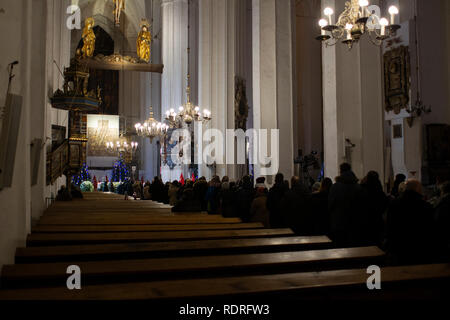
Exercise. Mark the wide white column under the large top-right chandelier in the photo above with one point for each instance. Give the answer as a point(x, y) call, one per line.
point(352, 104)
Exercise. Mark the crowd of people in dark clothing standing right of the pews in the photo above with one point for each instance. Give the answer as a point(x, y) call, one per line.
point(351, 212)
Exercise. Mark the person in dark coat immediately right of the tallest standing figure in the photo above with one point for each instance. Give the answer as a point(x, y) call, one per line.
point(375, 206)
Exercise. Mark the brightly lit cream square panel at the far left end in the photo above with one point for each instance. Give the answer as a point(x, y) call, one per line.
point(102, 129)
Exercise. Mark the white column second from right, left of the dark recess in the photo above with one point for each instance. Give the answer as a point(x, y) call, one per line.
point(273, 77)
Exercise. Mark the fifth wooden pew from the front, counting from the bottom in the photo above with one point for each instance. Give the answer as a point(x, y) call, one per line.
point(141, 228)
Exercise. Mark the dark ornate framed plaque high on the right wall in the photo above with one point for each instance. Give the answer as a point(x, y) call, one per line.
point(397, 80)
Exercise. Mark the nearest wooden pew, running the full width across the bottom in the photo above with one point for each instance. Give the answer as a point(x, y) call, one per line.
point(403, 282)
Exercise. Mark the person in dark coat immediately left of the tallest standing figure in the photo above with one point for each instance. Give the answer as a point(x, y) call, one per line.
point(319, 207)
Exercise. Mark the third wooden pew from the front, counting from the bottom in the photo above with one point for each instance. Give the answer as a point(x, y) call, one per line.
point(168, 249)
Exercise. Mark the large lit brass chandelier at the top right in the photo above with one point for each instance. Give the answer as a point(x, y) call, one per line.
point(355, 21)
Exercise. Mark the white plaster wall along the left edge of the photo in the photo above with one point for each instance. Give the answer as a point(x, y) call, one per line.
point(15, 202)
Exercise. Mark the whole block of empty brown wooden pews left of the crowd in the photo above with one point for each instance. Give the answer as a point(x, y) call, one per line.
point(134, 250)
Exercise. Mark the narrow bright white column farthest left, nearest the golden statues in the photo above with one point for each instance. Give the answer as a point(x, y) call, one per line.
point(174, 57)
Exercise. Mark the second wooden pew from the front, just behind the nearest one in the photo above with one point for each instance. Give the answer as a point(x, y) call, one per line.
point(49, 274)
